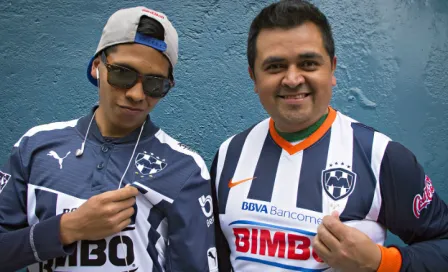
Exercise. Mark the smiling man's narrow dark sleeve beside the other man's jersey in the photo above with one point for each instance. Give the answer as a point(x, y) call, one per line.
point(222, 246)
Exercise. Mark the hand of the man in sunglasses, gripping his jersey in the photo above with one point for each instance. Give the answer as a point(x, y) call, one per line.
point(100, 216)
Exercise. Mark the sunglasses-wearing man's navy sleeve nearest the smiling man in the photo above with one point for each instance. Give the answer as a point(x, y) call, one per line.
point(191, 245)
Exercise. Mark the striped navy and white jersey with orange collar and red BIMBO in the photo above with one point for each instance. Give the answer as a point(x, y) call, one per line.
point(270, 196)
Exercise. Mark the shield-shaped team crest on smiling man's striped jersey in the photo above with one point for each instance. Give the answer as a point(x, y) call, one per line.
point(338, 183)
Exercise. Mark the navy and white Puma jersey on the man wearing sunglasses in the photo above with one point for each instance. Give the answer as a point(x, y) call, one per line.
point(171, 230)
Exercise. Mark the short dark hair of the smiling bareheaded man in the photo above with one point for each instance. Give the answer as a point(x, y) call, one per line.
point(288, 14)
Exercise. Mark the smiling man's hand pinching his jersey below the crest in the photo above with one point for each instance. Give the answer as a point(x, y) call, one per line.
point(345, 248)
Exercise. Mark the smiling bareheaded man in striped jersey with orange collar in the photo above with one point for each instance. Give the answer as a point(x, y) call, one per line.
point(310, 189)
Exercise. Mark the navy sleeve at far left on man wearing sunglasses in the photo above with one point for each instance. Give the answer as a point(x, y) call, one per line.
point(34, 243)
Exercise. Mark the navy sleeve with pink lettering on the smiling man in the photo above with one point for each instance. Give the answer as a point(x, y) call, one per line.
point(412, 210)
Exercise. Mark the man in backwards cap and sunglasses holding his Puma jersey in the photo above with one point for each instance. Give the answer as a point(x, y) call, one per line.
point(60, 209)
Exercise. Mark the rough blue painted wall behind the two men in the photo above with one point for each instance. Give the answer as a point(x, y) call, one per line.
point(392, 69)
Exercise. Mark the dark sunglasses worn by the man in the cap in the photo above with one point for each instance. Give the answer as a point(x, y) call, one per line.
point(125, 78)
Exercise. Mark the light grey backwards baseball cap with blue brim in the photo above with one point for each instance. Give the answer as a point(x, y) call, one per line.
point(122, 28)
